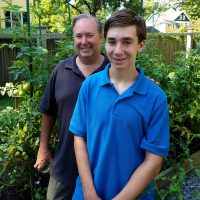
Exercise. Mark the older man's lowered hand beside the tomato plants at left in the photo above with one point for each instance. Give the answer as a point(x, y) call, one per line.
point(43, 158)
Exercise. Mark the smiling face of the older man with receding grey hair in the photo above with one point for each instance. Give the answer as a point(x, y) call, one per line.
point(87, 40)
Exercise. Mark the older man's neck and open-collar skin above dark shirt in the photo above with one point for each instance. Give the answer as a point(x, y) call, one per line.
point(88, 66)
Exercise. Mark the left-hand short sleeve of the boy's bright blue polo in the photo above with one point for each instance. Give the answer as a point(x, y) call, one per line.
point(79, 117)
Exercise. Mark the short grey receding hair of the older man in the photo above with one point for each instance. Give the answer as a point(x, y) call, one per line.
point(87, 16)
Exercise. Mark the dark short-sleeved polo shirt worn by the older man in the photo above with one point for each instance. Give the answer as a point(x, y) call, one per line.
point(59, 100)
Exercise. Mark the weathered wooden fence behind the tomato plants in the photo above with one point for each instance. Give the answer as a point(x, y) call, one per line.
point(164, 43)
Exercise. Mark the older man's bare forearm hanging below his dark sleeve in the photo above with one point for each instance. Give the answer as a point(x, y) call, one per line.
point(47, 125)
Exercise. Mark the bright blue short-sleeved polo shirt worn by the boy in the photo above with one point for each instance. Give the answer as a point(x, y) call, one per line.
point(119, 129)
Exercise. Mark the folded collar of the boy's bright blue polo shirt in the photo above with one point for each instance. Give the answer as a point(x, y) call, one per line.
point(139, 87)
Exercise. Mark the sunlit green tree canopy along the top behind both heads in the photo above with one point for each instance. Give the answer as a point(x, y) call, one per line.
point(55, 13)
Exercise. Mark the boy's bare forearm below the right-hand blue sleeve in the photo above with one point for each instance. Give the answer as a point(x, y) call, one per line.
point(140, 179)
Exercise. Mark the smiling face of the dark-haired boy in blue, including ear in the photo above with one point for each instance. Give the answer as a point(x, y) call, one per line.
point(122, 46)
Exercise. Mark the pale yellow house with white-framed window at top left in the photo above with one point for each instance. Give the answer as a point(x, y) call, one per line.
point(9, 19)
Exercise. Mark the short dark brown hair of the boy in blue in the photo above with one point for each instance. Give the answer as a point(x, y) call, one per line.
point(126, 17)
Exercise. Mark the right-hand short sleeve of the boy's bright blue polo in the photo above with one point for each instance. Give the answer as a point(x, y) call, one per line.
point(157, 136)
